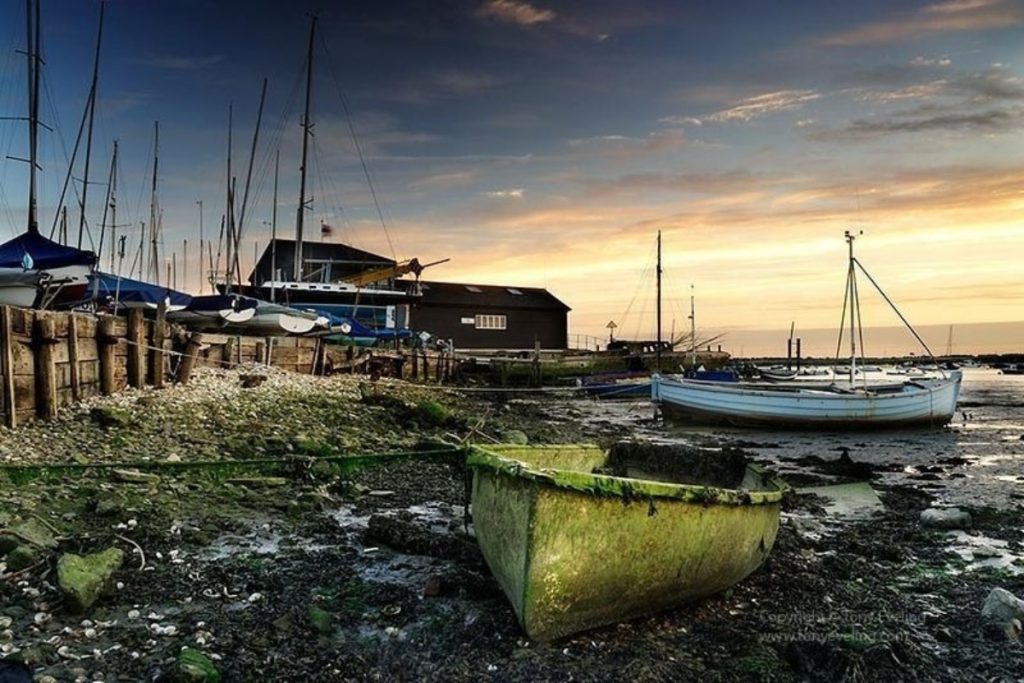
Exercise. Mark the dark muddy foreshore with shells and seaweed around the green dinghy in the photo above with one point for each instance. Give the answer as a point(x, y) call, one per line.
point(316, 575)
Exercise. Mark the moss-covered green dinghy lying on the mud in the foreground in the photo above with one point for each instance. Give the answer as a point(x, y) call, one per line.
point(579, 538)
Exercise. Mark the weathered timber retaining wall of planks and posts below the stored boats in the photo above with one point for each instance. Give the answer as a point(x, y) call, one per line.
point(52, 360)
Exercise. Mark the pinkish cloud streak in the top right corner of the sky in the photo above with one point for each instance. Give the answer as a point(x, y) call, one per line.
point(941, 18)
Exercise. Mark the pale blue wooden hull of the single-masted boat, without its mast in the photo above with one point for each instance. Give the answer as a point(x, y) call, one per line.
point(929, 403)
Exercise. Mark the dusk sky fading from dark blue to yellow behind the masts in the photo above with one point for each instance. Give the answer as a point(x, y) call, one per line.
point(545, 144)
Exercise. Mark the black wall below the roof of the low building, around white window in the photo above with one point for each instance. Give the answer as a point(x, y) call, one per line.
point(524, 326)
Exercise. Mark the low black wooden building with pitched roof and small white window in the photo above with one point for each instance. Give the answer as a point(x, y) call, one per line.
point(491, 318)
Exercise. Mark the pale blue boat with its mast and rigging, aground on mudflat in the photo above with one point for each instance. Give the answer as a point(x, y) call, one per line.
point(851, 405)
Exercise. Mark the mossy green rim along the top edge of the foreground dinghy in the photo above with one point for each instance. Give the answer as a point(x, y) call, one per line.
point(625, 488)
